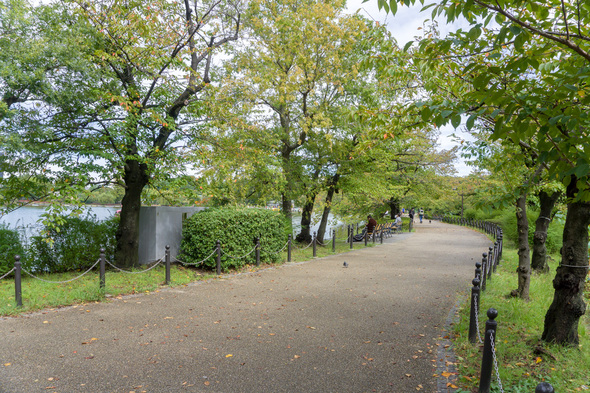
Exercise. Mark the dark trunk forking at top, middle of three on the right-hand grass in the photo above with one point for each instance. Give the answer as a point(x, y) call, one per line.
point(539, 258)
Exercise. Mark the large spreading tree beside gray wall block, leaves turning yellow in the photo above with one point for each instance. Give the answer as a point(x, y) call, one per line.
point(130, 101)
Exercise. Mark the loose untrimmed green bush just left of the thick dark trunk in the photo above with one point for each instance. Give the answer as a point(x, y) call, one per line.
point(75, 245)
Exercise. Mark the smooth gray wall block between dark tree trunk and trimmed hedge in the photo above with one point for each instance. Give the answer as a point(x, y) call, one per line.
point(159, 226)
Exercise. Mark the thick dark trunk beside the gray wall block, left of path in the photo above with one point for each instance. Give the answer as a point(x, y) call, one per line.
point(127, 236)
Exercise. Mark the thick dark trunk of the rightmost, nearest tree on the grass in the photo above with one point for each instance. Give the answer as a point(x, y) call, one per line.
point(562, 318)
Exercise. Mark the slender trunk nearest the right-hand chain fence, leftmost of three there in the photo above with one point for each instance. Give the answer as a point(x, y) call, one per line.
point(524, 261)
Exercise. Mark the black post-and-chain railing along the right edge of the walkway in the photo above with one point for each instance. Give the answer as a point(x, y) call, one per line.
point(483, 274)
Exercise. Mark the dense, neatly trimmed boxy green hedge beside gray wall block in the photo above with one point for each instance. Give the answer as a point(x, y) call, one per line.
point(236, 229)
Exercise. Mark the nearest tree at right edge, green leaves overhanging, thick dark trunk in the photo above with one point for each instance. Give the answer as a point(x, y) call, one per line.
point(548, 46)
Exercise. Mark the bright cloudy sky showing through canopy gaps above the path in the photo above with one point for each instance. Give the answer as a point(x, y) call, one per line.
point(404, 27)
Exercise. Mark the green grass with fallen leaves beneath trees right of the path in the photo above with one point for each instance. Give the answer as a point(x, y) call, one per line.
point(523, 359)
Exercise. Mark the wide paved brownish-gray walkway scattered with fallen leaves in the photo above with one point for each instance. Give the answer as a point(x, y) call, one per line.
point(375, 326)
